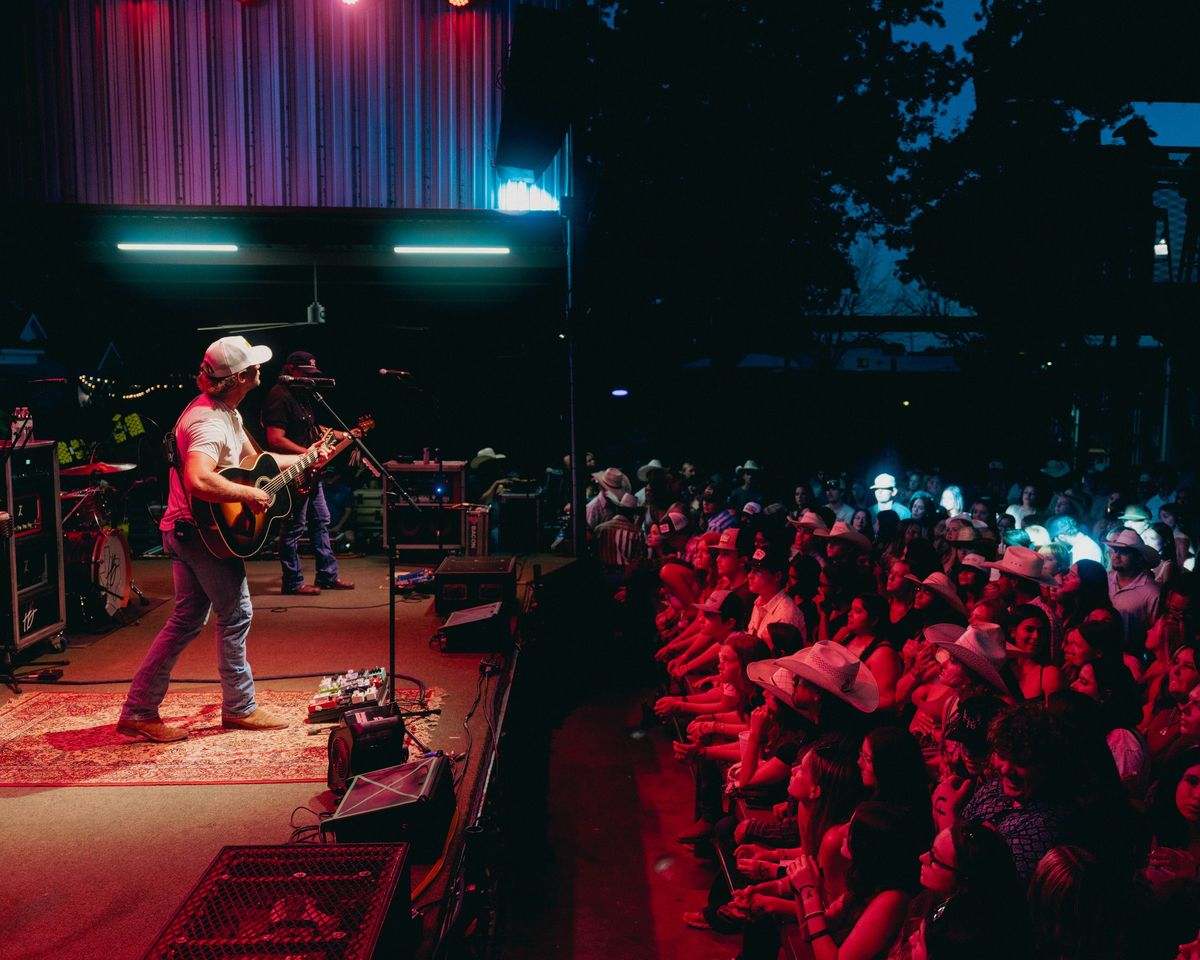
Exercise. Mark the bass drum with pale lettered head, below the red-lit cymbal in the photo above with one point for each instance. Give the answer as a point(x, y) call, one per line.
point(99, 575)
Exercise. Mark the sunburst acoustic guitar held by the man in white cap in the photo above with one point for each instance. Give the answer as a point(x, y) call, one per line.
point(233, 530)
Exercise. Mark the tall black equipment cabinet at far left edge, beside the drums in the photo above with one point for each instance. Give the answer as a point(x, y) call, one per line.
point(32, 559)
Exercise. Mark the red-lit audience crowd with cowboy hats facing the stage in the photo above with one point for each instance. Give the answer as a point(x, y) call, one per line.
point(926, 719)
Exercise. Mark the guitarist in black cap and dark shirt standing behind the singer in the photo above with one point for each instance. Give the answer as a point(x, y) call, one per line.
point(291, 428)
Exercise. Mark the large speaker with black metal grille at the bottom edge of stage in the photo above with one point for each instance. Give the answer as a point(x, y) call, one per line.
point(350, 902)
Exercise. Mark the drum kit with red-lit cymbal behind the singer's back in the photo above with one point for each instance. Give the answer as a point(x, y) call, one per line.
point(98, 565)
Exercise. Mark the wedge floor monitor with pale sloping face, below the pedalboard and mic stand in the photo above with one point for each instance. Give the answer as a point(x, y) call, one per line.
point(412, 802)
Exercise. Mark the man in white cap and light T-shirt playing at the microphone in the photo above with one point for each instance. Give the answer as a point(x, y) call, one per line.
point(209, 437)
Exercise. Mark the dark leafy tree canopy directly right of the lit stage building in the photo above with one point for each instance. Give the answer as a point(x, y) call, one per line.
point(735, 152)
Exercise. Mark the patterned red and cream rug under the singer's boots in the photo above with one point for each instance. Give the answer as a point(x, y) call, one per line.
point(70, 740)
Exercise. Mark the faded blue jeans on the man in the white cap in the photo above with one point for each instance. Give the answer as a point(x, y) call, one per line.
point(203, 584)
